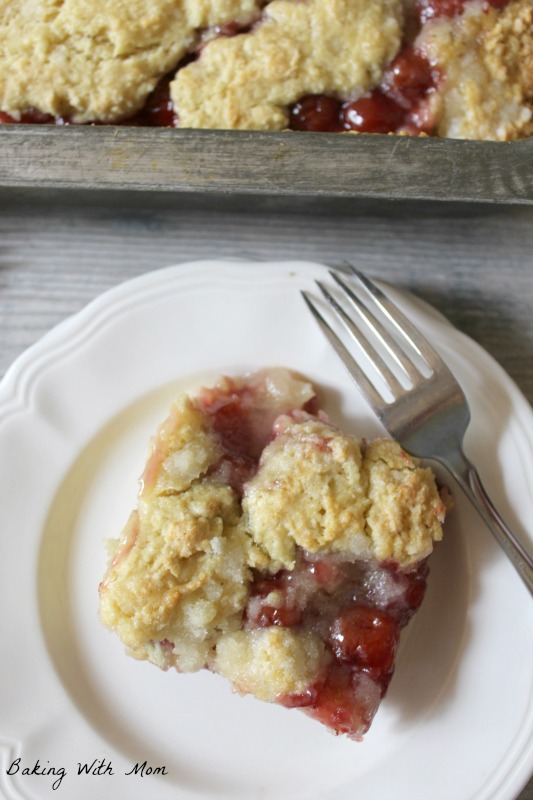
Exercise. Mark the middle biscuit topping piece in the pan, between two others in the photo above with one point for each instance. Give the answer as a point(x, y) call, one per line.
point(336, 47)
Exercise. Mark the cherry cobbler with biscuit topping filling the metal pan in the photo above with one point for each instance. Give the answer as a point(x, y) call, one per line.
point(448, 68)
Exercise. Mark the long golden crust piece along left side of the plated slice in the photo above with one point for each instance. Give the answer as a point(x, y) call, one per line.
point(182, 574)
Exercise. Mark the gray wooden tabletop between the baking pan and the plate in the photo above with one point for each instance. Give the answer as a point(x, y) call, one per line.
point(476, 268)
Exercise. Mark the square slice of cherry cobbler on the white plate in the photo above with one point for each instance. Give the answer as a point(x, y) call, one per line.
point(273, 549)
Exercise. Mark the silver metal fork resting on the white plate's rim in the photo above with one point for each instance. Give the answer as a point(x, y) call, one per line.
point(428, 416)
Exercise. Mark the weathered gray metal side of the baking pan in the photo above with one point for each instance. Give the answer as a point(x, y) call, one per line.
point(280, 168)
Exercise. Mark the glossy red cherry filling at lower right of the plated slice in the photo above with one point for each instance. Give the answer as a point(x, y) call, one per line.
point(358, 609)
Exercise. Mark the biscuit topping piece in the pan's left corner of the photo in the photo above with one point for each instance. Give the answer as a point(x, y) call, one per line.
point(95, 60)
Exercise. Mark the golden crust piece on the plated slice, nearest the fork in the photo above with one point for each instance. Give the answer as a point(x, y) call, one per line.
point(315, 489)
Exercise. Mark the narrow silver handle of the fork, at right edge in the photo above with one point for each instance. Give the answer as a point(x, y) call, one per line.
point(508, 541)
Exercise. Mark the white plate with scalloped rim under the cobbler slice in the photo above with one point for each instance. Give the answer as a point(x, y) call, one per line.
point(76, 413)
